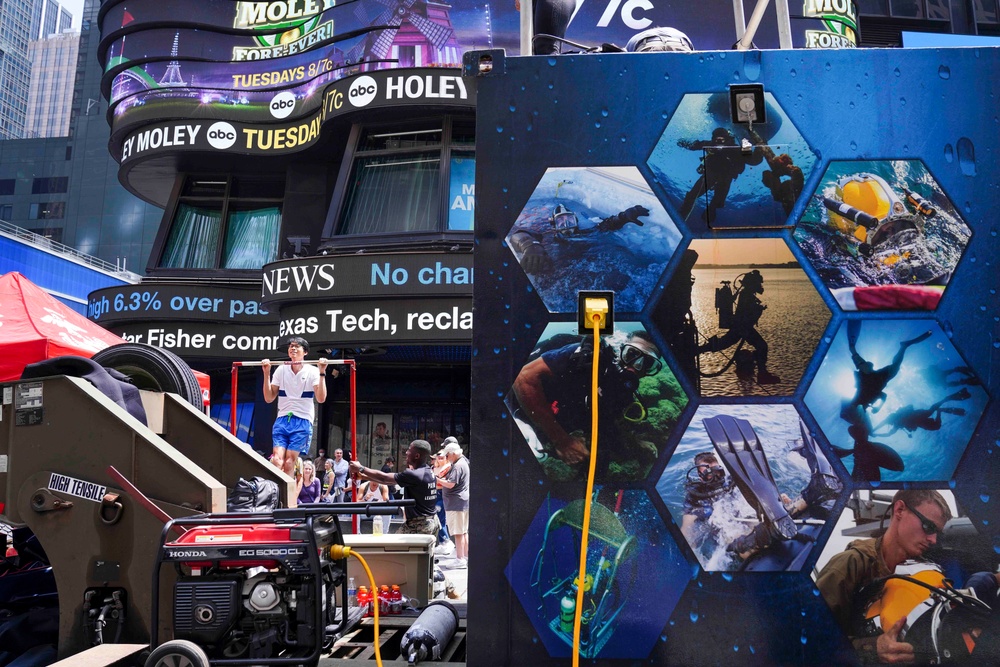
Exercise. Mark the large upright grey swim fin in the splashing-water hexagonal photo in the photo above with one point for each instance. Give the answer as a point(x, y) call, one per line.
point(739, 448)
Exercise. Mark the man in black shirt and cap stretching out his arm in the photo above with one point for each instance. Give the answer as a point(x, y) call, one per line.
point(418, 484)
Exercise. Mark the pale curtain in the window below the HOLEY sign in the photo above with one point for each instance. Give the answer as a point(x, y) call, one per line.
point(394, 194)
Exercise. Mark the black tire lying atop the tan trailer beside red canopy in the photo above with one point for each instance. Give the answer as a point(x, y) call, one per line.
point(153, 368)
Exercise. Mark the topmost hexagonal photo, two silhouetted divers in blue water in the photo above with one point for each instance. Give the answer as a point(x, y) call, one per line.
point(731, 175)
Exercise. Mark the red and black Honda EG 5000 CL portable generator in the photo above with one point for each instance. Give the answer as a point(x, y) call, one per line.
point(255, 588)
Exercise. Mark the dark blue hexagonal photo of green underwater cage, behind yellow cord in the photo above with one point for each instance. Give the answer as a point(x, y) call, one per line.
point(634, 575)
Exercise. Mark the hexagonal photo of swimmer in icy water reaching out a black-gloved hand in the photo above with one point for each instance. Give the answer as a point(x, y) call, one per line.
point(593, 228)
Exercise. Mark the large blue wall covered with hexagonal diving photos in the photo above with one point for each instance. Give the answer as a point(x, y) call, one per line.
point(815, 289)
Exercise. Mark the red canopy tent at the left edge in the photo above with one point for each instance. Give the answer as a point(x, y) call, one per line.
point(35, 326)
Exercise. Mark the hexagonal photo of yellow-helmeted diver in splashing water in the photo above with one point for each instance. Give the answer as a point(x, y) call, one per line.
point(882, 235)
